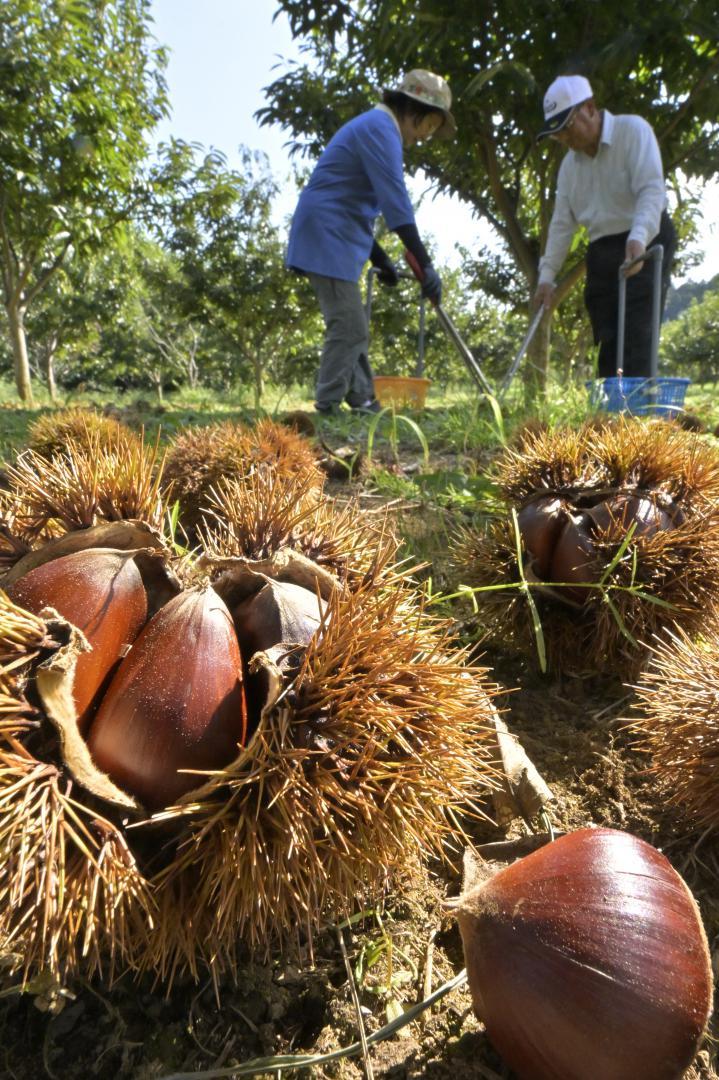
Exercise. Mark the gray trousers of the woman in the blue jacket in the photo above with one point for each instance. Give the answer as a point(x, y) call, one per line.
point(345, 372)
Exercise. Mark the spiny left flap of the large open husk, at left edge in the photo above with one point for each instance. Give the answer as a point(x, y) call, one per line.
point(72, 895)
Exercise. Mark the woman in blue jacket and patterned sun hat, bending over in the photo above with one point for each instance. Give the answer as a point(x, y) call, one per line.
point(359, 177)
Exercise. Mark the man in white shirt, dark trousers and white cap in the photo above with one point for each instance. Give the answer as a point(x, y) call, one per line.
point(611, 182)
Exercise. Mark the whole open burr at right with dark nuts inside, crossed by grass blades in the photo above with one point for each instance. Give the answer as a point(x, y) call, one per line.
point(601, 593)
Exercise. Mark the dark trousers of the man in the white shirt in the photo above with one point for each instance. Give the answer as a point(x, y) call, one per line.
point(604, 259)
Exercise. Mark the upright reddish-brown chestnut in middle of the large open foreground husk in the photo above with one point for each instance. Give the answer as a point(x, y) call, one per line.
point(178, 703)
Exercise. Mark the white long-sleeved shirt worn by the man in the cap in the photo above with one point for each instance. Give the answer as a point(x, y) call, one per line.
point(621, 190)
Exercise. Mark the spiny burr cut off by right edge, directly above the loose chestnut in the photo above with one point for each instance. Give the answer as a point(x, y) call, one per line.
point(679, 722)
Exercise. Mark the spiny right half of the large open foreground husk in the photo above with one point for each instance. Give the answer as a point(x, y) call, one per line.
point(362, 768)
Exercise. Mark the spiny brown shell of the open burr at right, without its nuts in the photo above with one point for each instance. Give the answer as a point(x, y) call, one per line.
point(679, 569)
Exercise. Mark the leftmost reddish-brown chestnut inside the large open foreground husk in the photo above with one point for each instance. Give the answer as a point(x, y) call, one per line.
point(101, 592)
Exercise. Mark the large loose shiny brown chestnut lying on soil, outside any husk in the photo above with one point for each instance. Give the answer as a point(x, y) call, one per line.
point(589, 960)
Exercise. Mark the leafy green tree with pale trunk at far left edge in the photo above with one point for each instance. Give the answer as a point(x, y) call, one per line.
point(82, 86)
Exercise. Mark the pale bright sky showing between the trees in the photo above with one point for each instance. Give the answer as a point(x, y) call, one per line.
point(222, 55)
